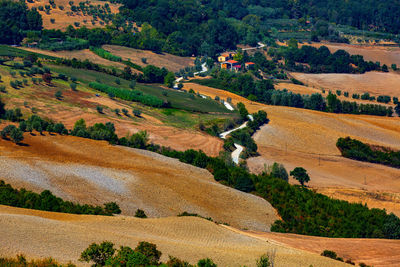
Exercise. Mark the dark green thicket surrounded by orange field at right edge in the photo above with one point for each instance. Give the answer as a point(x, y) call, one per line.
point(354, 149)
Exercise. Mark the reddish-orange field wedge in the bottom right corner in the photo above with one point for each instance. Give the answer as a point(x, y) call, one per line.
point(374, 252)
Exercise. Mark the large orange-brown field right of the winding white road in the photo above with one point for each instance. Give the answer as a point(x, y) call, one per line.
point(298, 137)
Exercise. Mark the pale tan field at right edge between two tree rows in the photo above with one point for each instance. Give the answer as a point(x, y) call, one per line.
point(375, 83)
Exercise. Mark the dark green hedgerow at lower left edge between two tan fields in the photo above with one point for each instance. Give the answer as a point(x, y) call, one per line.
point(44, 201)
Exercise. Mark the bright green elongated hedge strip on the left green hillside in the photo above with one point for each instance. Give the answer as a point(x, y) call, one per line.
point(130, 95)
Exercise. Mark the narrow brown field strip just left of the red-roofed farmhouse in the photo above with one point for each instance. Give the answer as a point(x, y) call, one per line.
point(171, 62)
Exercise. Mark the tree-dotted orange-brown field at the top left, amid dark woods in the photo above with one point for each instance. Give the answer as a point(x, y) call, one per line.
point(63, 19)
